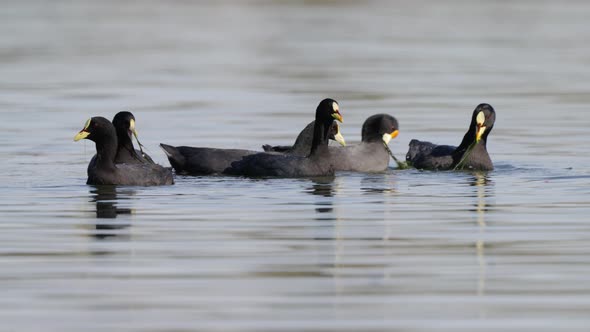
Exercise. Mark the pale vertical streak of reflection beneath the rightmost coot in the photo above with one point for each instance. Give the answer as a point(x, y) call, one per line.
point(482, 185)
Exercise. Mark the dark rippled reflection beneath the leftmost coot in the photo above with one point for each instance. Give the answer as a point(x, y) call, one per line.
point(106, 200)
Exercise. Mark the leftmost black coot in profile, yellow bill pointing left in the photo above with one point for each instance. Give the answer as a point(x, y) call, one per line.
point(104, 170)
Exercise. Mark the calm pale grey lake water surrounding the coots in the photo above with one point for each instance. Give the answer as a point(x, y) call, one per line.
point(404, 250)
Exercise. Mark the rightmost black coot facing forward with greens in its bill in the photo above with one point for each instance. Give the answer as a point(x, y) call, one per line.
point(471, 154)
